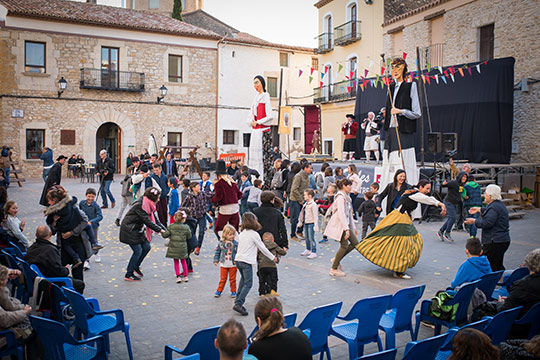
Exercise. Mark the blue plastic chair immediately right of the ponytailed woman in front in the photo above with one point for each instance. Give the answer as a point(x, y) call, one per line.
point(319, 321)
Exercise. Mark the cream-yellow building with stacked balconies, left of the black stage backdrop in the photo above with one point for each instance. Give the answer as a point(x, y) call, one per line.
point(349, 41)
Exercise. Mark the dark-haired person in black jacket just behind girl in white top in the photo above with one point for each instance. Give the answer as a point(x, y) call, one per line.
point(271, 219)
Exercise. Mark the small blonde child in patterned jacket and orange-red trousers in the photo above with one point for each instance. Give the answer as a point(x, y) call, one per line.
point(225, 256)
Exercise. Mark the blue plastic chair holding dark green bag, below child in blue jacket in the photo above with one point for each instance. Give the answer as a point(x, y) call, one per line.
point(462, 298)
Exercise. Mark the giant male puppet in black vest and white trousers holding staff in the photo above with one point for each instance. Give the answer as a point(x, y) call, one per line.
point(402, 110)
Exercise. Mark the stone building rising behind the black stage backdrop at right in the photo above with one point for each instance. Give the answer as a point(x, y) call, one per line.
point(450, 32)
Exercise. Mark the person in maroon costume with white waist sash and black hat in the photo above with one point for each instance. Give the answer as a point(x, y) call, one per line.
point(226, 197)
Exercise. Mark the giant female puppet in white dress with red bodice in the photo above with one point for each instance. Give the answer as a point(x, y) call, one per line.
point(260, 118)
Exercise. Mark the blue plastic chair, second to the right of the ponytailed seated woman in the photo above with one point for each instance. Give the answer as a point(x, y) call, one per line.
point(362, 326)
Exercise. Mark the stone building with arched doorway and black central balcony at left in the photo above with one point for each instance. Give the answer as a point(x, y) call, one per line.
point(114, 62)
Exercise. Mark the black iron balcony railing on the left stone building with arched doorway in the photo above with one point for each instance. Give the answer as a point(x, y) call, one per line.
point(104, 79)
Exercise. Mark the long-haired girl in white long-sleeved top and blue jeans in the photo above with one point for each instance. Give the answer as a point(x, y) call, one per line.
point(249, 241)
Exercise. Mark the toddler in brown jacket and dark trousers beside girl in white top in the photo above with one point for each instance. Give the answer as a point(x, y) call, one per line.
point(267, 268)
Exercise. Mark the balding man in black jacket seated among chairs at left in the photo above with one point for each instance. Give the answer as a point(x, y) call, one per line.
point(46, 256)
